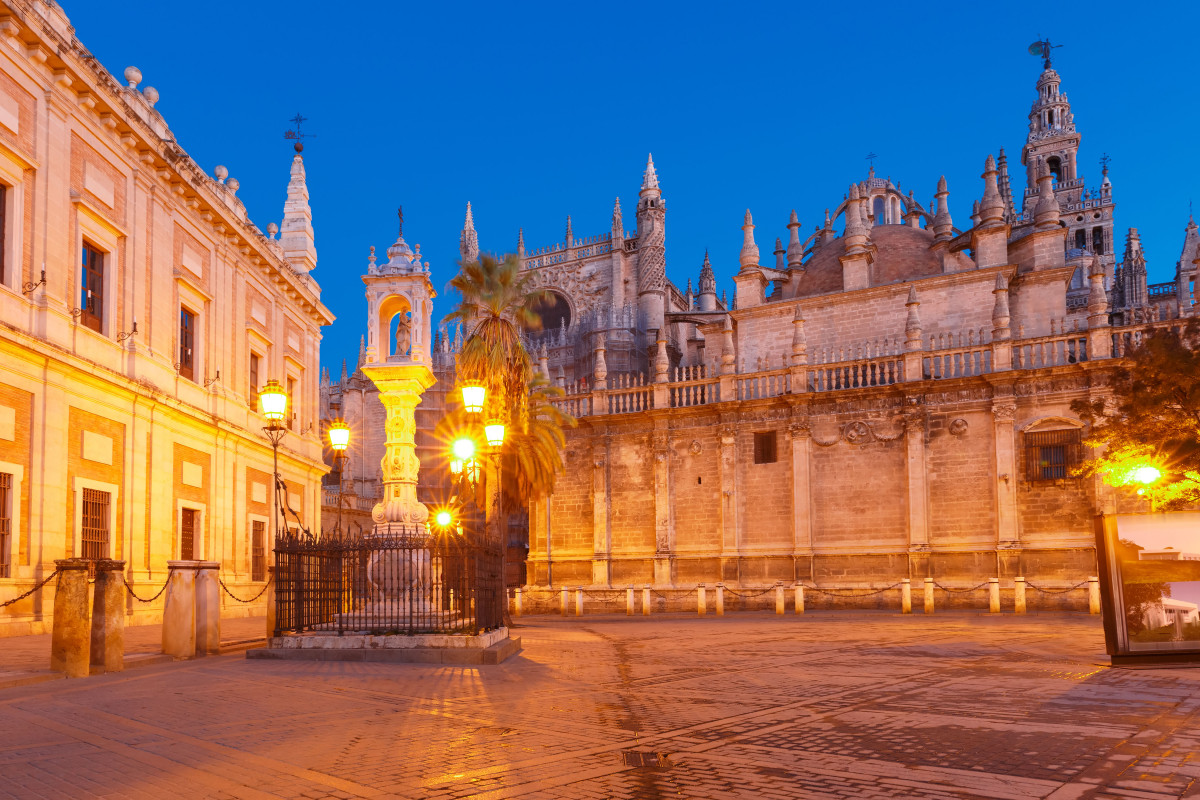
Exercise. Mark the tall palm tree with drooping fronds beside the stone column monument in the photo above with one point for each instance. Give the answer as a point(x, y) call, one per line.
point(497, 303)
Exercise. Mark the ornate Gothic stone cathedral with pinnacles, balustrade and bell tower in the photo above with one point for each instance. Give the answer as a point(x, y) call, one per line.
point(887, 398)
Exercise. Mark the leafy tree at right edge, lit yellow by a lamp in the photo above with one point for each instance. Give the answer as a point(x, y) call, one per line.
point(1150, 429)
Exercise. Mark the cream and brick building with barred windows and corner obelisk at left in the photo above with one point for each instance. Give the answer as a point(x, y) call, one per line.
point(142, 312)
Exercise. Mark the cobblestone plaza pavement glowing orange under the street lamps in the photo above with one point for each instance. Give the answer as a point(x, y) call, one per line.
point(752, 706)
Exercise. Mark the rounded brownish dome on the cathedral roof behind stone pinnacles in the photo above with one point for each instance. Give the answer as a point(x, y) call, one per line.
point(902, 254)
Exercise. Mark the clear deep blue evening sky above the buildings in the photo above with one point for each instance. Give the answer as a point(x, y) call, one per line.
point(539, 111)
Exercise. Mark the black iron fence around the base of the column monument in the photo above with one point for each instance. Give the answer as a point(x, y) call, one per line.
point(376, 584)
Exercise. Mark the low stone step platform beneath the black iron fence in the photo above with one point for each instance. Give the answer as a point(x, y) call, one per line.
point(490, 648)
